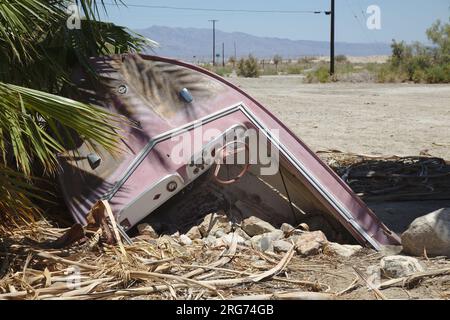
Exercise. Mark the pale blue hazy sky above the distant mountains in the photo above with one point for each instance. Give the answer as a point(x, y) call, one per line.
point(400, 19)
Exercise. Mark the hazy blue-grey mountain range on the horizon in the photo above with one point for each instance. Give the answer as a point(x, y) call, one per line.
point(196, 44)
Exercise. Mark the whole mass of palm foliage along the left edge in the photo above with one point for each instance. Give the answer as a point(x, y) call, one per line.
point(38, 54)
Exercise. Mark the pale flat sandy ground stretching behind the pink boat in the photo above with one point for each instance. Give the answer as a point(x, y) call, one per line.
point(375, 119)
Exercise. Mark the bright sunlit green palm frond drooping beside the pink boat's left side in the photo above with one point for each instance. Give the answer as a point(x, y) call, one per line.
point(31, 122)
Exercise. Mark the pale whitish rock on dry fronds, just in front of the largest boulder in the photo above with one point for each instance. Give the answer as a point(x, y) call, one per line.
point(400, 266)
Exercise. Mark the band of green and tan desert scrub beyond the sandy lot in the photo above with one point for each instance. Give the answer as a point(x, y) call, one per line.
point(417, 63)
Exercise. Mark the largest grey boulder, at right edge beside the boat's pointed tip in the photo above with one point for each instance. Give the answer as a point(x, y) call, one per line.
point(430, 233)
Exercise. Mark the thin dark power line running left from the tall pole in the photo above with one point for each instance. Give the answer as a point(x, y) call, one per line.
point(217, 10)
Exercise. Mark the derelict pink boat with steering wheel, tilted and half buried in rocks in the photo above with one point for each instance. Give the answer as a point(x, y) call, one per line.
point(200, 144)
